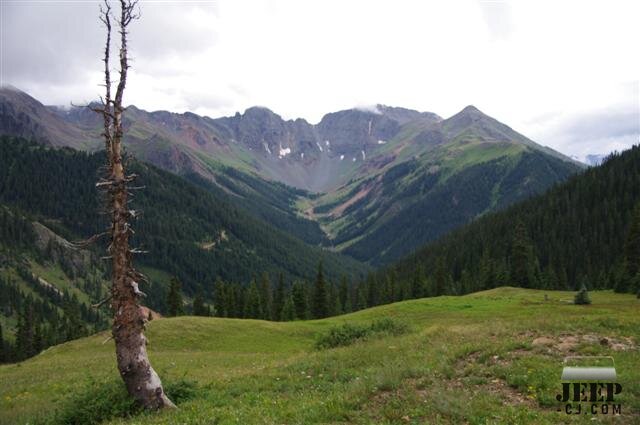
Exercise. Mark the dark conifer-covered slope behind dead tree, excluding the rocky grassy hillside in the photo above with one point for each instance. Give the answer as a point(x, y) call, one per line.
point(189, 231)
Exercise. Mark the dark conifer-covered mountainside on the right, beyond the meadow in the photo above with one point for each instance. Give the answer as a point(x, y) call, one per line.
point(576, 233)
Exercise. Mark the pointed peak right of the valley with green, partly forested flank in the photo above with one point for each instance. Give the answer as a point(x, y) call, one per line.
point(431, 179)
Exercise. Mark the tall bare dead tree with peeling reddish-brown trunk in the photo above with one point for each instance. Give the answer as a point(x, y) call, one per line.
point(141, 380)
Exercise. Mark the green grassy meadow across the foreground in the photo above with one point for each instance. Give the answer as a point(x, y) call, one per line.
point(468, 359)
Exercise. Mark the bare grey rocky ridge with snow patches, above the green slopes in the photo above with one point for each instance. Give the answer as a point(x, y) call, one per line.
point(317, 157)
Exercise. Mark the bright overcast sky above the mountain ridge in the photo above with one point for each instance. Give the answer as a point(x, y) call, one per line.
point(564, 73)
